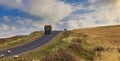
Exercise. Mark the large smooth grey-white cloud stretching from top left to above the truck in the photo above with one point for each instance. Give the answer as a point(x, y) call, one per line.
point(50, 10)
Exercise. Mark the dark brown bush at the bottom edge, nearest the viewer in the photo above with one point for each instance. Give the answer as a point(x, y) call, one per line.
point(58, 55)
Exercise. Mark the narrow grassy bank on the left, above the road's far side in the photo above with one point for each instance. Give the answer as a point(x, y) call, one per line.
point(18, 40)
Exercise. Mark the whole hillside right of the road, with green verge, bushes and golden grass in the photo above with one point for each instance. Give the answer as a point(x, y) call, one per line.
point(89, 44)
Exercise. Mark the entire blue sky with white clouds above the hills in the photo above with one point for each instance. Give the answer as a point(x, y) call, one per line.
point(21, 17)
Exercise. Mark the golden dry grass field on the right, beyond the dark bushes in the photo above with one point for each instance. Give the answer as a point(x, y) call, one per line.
point(108, 38)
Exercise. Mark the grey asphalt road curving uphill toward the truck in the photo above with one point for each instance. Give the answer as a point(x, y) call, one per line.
point(32, 45)
